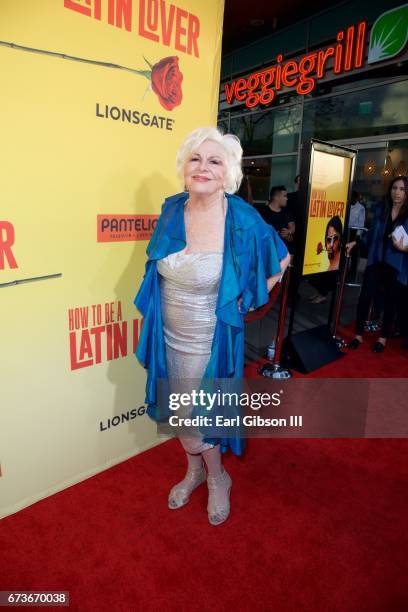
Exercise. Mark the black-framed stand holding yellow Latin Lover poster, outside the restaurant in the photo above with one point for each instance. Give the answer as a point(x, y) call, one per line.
point(327, 173)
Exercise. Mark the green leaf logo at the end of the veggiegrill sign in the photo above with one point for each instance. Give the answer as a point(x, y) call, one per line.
point(389, 35)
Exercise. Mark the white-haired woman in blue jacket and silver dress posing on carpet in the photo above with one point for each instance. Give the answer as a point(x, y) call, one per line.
point(210, 259)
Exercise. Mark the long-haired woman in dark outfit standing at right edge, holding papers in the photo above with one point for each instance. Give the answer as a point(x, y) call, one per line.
point(387, 265)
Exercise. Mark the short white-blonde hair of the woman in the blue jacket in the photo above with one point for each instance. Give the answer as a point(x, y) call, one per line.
point(232, 149)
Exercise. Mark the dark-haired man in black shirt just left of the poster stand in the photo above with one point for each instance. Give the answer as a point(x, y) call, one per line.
point(275, 213)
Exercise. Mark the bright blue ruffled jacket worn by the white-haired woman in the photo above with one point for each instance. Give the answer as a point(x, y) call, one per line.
point(252, 253)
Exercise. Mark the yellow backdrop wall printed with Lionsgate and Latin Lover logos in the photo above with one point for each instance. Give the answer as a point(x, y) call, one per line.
point(97, 96)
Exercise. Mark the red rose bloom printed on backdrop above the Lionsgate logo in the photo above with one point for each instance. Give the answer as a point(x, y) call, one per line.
point(166, 82)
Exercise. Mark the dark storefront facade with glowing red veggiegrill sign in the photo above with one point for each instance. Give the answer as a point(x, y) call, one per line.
point(340, 76)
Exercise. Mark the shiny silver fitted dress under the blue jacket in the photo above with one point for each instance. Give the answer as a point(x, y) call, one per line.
point(189, 285)
